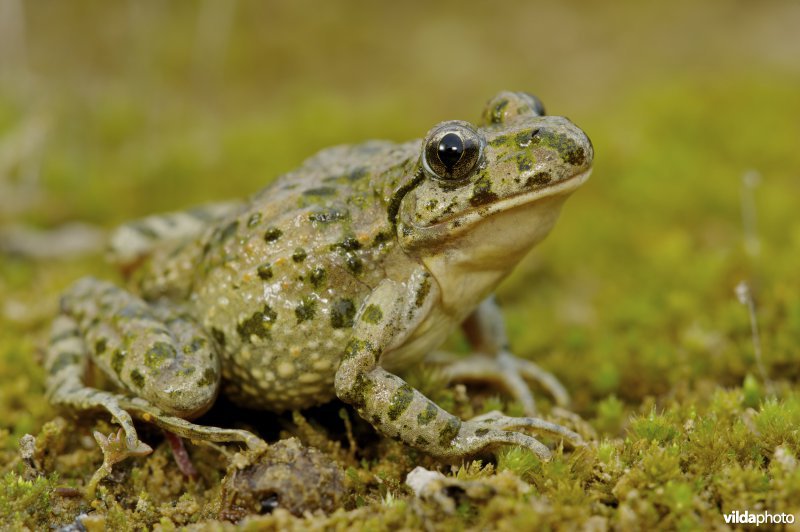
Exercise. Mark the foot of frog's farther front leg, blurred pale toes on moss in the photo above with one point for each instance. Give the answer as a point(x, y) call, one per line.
point(505, 370)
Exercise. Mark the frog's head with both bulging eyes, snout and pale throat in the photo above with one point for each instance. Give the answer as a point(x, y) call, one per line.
point(485, 195)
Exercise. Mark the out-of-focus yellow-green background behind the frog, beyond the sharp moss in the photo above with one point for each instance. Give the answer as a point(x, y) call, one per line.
point(112, 110)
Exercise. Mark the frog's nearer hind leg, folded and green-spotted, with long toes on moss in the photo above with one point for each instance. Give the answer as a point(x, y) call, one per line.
point(161, 358)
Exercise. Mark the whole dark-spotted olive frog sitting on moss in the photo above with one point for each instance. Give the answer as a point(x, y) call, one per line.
point(329, 283)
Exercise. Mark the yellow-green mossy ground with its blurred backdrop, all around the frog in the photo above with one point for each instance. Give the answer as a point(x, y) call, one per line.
point(146, 107)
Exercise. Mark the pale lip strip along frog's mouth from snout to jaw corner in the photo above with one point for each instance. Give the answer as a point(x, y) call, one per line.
point(452, 227)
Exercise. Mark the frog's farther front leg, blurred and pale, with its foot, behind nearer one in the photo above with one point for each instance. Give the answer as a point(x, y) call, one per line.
point(493, 362)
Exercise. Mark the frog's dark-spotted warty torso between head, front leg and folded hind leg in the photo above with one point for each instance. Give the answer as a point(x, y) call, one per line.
point(279, 283)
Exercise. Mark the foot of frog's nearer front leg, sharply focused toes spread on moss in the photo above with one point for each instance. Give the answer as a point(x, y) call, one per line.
point(495, 428)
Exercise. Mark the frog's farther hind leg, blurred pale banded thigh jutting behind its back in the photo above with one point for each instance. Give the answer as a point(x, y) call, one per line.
point(134, 240)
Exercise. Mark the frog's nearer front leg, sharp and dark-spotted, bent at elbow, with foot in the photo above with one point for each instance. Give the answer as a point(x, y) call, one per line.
point(396, 409)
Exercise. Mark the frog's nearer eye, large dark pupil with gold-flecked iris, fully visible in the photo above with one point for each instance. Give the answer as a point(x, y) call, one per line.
point(452, 151)
